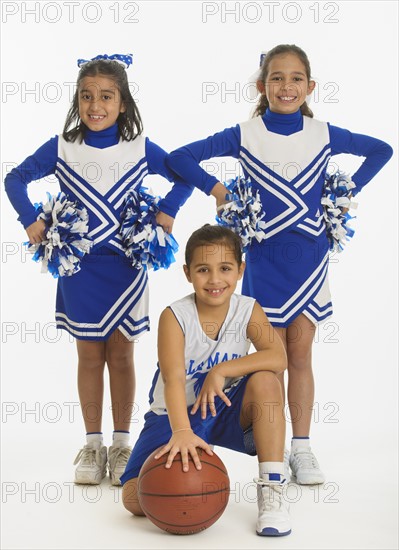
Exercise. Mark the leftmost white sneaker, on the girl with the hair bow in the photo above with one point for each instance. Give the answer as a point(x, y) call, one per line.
point(92, 465)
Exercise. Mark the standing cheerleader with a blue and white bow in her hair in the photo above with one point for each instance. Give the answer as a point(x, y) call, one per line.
point(100, 155)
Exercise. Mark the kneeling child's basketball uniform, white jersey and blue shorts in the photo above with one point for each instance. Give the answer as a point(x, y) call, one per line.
point(201, 353)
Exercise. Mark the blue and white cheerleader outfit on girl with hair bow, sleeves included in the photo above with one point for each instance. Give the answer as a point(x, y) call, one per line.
point(107, 293)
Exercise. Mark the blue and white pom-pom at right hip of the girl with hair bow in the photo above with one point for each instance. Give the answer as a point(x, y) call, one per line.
point(145, 242)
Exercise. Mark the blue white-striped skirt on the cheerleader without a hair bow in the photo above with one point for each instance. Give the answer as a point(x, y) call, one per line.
point(288, 276)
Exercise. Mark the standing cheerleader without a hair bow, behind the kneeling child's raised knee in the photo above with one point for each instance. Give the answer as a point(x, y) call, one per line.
point(285, 152)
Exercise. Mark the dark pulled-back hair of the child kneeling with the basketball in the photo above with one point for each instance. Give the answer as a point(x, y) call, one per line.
point(213, 234)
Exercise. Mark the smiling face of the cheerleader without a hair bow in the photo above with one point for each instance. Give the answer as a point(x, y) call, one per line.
point(287, 84)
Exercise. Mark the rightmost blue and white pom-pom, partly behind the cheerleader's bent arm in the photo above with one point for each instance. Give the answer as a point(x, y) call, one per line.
point(337, 196)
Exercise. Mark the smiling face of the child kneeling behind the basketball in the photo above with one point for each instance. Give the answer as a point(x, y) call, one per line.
point(214, 273)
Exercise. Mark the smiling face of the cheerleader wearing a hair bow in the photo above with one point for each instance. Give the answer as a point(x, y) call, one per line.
point(100, 102)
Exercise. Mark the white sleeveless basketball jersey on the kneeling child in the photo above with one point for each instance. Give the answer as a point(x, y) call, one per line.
point(201, 352)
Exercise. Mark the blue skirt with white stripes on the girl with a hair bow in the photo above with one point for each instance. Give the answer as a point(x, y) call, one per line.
point(105, 295)
